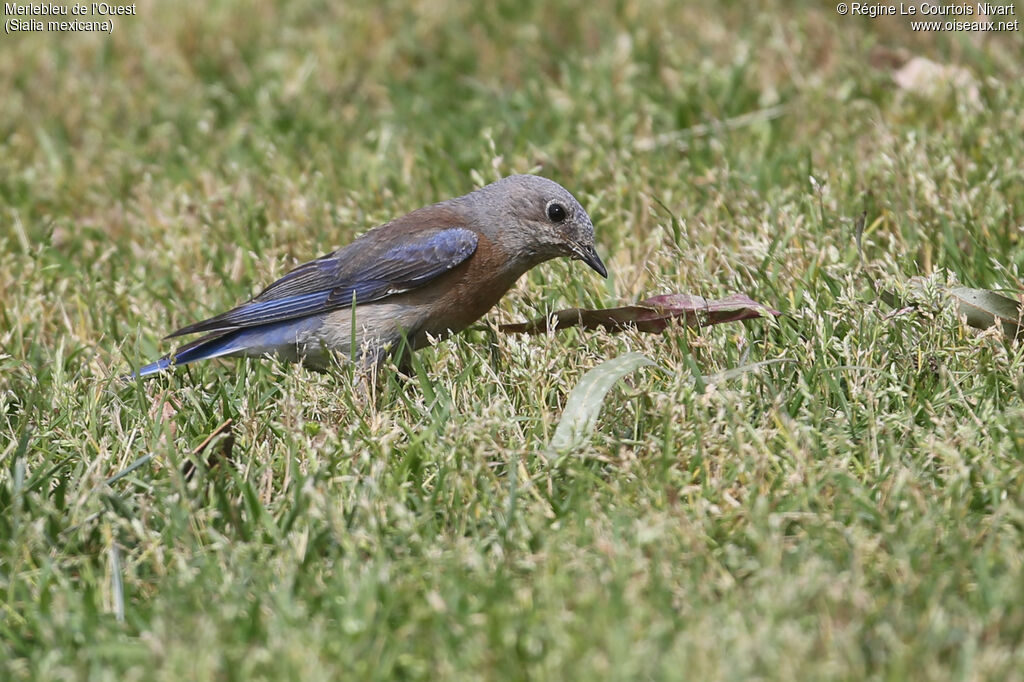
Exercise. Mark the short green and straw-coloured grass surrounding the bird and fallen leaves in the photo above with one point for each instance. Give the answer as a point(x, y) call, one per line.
point(856, 515)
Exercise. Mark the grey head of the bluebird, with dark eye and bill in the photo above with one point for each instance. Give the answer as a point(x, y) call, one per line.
point(536, 219)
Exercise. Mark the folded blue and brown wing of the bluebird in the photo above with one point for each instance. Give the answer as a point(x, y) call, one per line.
point(375, 267)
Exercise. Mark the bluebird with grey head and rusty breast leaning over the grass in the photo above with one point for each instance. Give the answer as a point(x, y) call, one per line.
point(402, 285)
